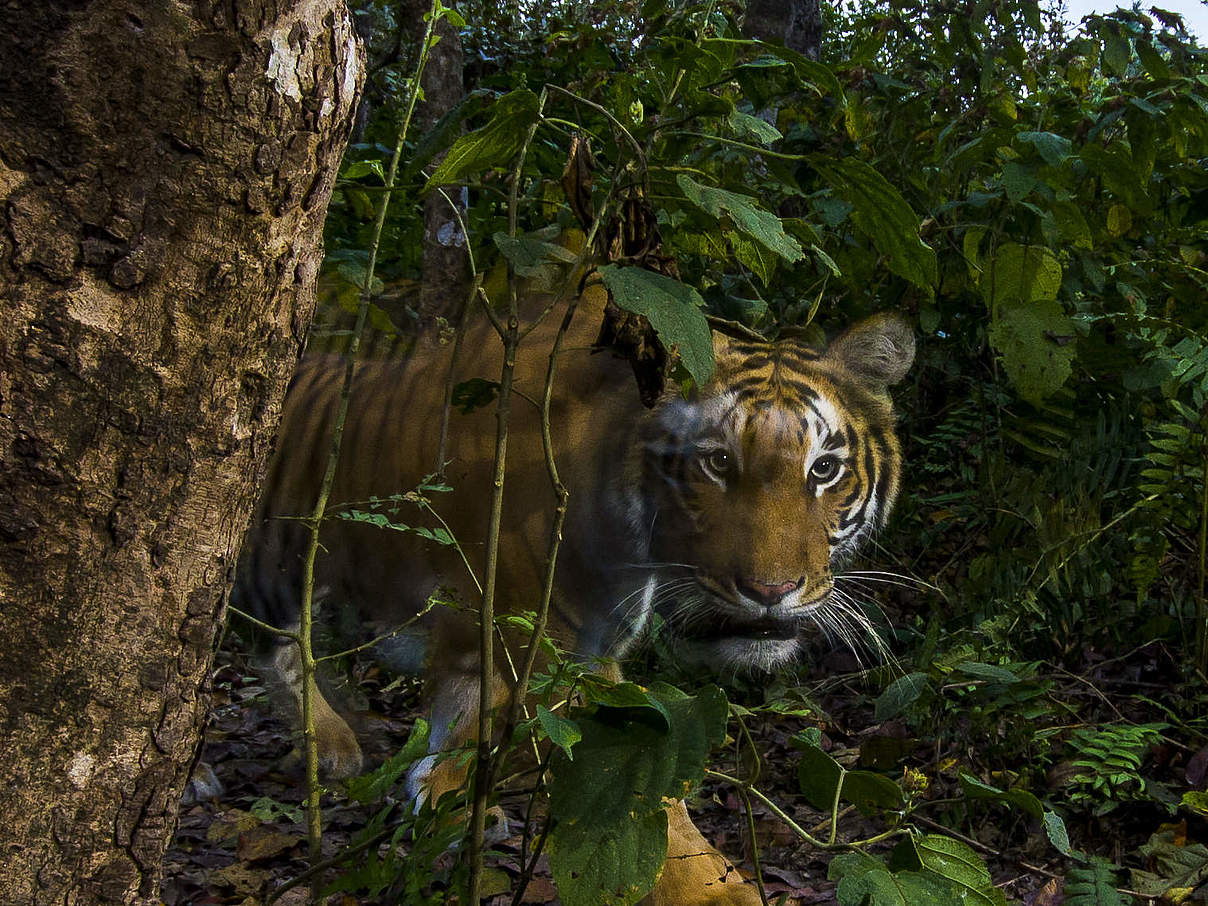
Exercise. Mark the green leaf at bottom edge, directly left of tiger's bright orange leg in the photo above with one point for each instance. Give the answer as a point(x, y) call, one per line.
point(615, 866)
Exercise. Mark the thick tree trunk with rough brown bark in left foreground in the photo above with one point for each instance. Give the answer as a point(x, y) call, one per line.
point(165, 172)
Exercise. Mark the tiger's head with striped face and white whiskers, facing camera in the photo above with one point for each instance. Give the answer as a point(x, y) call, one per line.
point(764, 480)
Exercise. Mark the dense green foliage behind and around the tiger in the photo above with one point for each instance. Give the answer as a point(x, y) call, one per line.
point(1036, 198)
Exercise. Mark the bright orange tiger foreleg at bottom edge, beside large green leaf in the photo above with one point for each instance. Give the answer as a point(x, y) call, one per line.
point(695, 874)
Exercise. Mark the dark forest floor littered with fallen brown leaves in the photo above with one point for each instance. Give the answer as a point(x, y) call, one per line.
point(236, 845)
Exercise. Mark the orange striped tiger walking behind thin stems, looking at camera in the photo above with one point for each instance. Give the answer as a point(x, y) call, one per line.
point(722, 512)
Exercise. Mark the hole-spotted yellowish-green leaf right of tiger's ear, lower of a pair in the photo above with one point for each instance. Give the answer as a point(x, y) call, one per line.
point(1031, 340)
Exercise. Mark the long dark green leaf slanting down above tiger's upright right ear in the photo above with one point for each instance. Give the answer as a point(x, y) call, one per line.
point(885, 217)
